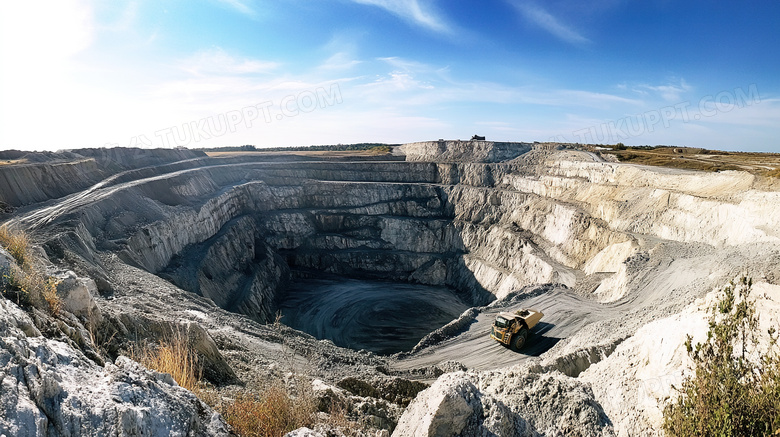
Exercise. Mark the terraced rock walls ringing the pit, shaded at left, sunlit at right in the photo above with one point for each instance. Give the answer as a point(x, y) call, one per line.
point(485, 229)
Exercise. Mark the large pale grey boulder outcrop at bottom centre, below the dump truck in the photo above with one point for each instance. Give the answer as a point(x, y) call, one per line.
point(518, 402)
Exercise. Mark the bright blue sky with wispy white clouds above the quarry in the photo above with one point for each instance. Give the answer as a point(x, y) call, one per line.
point(198, 73)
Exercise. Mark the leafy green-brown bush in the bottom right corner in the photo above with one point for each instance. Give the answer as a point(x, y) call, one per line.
point(730, 393)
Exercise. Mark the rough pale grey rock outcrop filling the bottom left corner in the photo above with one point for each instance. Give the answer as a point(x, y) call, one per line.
point(51, 389)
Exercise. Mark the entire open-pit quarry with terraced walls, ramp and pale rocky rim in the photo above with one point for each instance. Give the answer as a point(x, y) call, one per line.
point(375, 281)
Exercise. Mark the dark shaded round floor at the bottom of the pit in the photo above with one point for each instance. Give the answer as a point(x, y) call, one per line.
point(382, 317)
